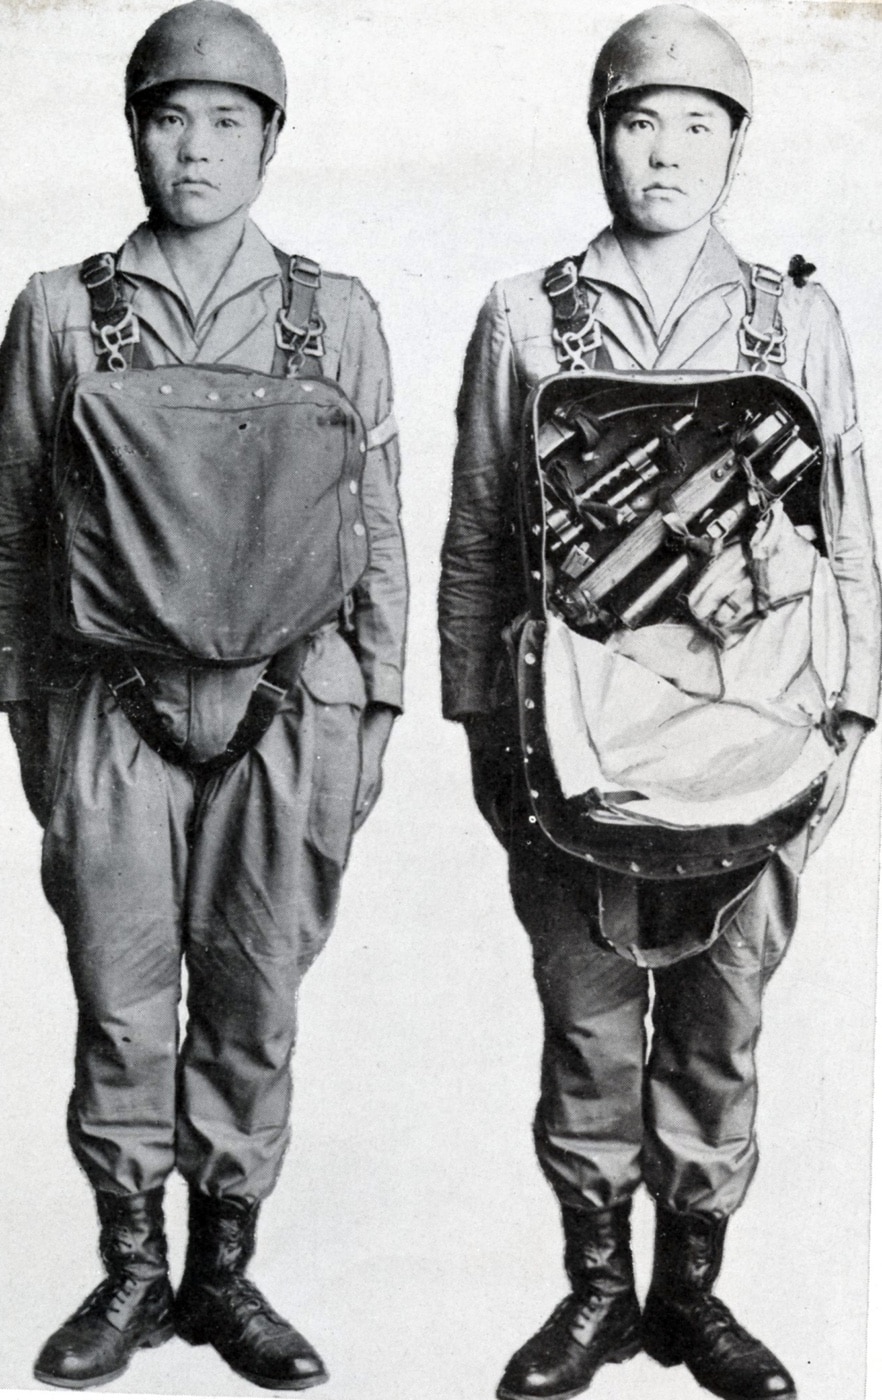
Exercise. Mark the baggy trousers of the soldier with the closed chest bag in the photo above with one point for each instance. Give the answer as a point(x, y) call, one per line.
point(237, 876)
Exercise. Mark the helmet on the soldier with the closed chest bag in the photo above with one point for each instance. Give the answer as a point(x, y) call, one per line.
point(208, 41)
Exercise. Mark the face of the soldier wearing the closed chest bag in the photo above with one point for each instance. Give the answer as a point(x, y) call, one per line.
point(201, 148)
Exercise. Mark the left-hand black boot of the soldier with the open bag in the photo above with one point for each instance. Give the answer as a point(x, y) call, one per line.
point(598, 1322)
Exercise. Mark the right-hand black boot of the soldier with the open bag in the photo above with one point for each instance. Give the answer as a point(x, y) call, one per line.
point(684, 1322)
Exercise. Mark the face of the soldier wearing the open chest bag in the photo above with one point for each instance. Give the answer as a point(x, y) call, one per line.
point(667, 159)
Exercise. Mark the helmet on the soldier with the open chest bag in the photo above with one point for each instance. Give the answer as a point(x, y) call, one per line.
point(671, 45)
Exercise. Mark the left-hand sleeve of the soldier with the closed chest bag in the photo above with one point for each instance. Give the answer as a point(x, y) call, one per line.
point(29, 395)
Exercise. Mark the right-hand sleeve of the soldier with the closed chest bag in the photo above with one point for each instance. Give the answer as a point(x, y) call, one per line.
point(381, 597)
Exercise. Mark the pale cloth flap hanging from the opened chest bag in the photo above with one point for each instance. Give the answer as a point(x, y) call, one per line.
point(708, 734)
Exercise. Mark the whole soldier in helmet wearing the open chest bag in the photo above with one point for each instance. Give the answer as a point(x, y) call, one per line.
point(660, 626)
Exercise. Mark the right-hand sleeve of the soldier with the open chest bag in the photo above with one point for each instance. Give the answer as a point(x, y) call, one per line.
point(846, 506)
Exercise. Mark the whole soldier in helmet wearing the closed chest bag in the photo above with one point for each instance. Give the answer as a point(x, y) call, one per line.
point(202, 607)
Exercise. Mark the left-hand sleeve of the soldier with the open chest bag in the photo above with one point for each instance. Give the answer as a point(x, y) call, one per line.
point(477, 589)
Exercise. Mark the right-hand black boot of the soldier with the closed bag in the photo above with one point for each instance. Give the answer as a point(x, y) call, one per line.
point(216, 1304)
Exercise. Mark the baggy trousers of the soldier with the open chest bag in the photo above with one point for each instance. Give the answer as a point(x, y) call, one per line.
point(610, 1115)
